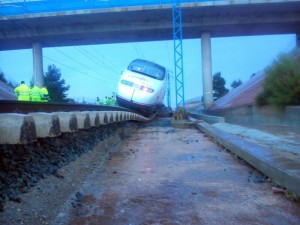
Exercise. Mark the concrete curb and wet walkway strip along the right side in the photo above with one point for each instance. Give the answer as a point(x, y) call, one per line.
point(274, 155)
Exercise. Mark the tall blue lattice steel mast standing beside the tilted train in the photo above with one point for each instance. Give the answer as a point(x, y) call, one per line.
point(178, 56)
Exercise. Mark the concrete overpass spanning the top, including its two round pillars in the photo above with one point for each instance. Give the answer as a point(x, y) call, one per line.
point(149, 23)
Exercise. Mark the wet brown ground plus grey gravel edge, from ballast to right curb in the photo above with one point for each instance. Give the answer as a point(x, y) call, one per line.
point(161, 175)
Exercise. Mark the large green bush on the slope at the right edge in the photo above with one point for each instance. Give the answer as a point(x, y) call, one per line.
point(282, 82)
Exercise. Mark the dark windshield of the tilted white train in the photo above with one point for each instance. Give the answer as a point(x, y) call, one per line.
point(148, 68)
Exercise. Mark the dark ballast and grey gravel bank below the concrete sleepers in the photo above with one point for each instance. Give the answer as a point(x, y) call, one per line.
point(37, 178)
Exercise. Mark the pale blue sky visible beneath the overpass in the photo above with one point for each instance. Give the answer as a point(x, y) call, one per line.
point(93, 71)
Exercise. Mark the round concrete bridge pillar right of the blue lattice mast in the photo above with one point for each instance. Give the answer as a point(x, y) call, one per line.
point(206, 70)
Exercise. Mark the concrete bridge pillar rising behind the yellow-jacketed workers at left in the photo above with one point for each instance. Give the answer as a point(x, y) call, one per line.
point(38, 75)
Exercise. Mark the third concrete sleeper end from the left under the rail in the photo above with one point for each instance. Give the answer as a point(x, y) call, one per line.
point(67, 121)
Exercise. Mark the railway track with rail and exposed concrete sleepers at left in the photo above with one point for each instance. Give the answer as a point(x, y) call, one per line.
point(24, 122)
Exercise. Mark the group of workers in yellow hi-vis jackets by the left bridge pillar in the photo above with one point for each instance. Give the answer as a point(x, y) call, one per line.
point(35, 94)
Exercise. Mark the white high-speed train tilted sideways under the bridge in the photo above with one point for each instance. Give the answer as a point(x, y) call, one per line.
point(142, 86)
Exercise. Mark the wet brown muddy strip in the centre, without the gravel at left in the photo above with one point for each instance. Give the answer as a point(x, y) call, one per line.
point(173, 176)
